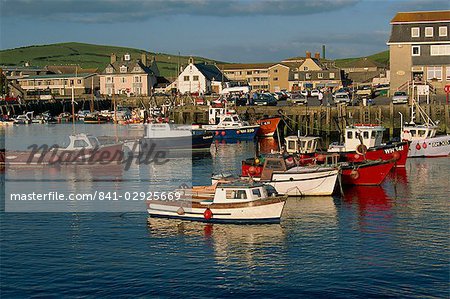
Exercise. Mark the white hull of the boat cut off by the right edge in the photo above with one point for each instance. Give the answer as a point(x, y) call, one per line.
point(438, 146)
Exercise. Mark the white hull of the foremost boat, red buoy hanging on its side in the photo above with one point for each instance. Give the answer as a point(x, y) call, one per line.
point(261, 211)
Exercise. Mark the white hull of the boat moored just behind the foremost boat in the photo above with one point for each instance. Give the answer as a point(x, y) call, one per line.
point(320, 182)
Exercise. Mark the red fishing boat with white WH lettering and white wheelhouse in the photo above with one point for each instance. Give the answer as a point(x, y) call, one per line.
point(364, 142)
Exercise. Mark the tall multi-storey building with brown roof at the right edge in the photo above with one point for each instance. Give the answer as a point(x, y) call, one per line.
point(419, 48)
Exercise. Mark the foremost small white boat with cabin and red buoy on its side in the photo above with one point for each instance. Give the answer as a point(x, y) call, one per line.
point(235, 202)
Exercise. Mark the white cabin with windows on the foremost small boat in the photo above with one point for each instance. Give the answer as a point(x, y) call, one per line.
point(239, 192)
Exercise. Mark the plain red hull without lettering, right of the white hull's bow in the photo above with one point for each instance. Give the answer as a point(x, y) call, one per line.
point(365, 173)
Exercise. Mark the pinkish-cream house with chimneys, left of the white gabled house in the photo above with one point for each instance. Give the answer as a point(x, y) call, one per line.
point(129, 76)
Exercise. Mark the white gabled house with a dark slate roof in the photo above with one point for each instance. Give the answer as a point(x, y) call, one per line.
point(200, 78)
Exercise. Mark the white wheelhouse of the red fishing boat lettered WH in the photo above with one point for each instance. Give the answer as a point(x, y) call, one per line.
point(369, 135)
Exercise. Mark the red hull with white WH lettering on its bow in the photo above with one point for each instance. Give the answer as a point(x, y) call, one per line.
point(396, 151)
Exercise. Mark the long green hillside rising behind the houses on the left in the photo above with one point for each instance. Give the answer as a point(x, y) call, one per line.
point(87, 56)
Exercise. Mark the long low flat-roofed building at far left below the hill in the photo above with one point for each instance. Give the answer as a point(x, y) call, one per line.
point(59, 84)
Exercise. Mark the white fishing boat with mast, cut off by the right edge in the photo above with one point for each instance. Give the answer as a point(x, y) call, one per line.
point(424, 142)
